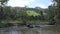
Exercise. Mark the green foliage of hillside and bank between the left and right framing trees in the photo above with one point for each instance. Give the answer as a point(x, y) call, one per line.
point(23, 16)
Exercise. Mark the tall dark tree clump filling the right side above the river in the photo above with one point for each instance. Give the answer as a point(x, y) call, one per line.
point(54, 11)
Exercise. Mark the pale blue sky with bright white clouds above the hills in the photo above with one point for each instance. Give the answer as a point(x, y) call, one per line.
point(29, 3)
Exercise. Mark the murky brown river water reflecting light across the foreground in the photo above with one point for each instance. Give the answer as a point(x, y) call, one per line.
point(26, 30)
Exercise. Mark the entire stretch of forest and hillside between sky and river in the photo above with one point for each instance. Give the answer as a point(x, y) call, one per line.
point(29, 16)
